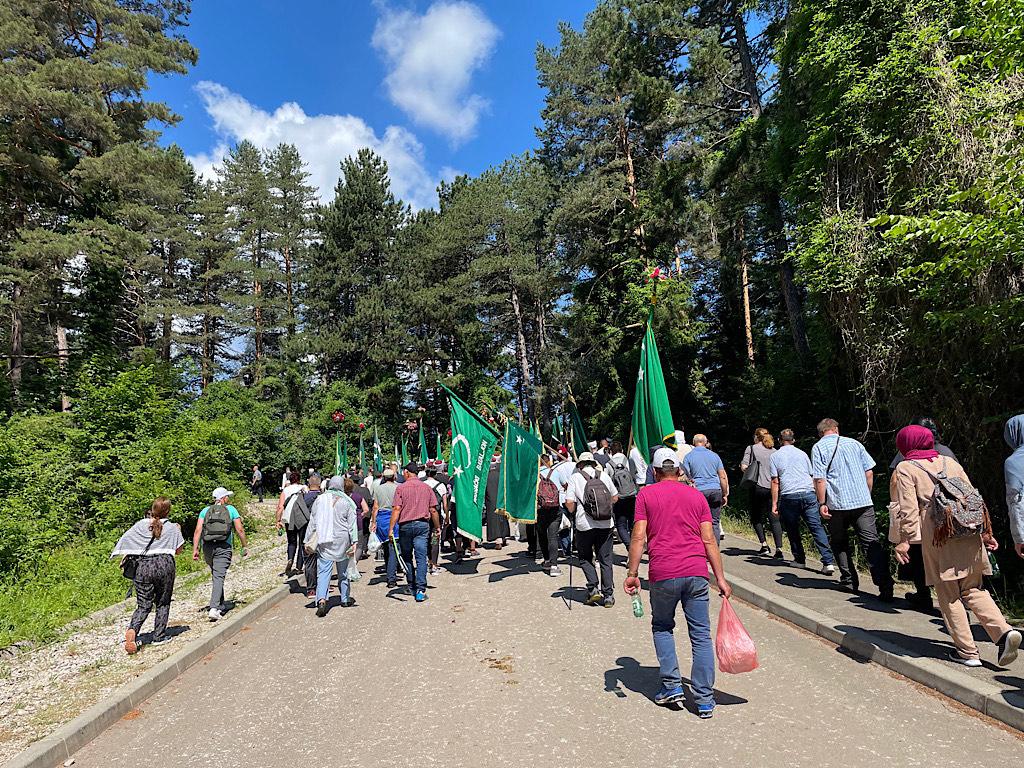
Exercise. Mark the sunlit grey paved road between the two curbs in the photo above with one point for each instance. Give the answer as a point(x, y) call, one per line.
point(494, 671)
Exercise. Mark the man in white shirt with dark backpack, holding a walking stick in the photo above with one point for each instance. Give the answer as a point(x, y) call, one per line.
point(590, 499)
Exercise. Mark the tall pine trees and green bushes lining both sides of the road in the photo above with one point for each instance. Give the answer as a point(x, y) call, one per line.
point(831, 189)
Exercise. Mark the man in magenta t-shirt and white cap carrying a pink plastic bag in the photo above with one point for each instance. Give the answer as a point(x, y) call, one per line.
point(675, 522)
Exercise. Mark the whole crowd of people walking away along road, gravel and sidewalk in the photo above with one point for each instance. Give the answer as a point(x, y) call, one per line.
point(668, 505)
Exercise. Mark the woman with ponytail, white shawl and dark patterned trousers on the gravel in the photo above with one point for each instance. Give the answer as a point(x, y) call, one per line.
point(154, 542)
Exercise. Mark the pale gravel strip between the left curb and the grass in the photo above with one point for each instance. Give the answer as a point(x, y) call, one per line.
point(45, 688)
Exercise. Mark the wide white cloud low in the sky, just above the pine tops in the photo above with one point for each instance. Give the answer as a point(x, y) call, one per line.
point(324, 141)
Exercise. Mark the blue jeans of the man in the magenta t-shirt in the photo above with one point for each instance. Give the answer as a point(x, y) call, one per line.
point(693, 593)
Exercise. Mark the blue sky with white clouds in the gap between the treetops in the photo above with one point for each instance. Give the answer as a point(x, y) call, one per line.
point(438, 88)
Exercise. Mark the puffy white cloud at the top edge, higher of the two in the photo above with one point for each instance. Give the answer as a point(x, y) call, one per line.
point(432, 60)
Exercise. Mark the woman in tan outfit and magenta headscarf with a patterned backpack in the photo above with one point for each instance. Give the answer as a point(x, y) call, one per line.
point(955, 568)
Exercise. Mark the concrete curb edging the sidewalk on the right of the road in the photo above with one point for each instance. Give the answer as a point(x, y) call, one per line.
point(975, 694)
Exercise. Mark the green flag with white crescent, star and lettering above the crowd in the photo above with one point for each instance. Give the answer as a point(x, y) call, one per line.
point(473, 445)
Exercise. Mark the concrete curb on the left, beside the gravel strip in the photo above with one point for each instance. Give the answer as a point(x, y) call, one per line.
point(68, 740)
